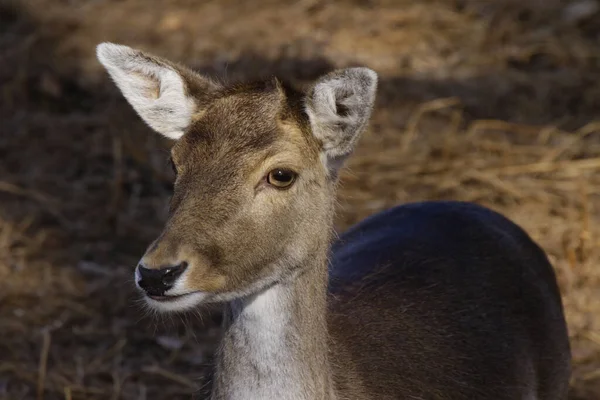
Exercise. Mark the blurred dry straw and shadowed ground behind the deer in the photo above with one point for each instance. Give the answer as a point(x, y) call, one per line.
point(496, 102)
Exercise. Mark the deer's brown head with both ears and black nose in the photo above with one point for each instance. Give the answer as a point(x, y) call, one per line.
point(256, 170)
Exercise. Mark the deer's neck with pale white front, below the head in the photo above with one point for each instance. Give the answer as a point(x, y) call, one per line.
point(275, 343)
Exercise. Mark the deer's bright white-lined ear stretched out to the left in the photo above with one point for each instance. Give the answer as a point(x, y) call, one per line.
point(159, 91)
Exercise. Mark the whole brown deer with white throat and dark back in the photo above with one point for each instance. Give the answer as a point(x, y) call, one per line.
point(435, 300)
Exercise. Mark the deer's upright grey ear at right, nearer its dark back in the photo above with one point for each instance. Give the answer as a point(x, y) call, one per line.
point(339, 107)
